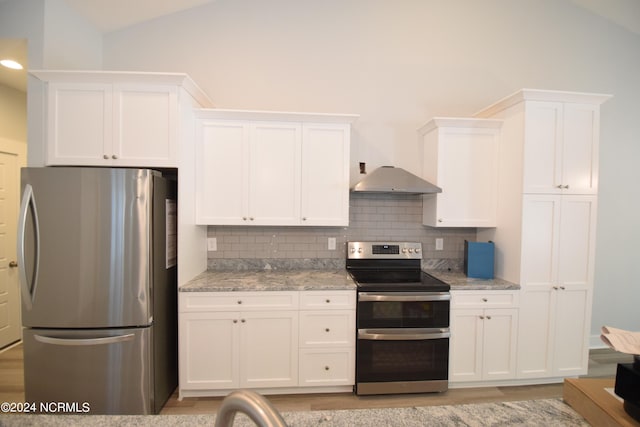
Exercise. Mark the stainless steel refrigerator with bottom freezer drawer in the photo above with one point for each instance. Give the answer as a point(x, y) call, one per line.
point(98, 273)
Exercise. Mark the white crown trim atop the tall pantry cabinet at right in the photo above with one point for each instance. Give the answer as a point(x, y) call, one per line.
point(542, 95)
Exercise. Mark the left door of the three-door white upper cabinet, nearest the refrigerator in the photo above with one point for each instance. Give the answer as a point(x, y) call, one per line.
point(222, 172)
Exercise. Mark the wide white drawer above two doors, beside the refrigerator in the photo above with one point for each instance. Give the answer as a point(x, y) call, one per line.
point(237, 301)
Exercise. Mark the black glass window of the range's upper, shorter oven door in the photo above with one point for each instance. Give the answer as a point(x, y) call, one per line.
point(403, 314)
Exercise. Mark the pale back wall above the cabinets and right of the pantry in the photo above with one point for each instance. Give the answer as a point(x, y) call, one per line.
point(399, 63)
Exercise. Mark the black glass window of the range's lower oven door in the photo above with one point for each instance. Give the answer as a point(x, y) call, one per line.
point(385, 361)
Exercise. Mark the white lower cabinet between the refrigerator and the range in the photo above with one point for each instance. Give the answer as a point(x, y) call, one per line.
point(268, 341)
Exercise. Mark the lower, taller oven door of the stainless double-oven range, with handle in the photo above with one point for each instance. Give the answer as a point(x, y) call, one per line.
point(402, 361)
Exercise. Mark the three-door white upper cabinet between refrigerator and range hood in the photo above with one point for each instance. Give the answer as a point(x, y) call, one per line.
point(259, 168)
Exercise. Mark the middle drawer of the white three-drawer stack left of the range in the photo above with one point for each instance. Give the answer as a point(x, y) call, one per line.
point(327, 328)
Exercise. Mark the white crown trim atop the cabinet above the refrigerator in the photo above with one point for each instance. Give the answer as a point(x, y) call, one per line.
point(129, 77)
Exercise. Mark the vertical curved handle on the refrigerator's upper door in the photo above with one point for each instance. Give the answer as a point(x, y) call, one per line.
point(28, 289)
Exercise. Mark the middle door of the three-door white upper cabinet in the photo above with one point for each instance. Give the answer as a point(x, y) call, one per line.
point(274, 173)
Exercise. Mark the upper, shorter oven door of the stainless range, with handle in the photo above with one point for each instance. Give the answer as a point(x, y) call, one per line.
point(385, 310)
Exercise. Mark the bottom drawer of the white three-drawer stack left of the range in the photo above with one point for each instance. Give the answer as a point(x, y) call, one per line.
point(326, 367)
